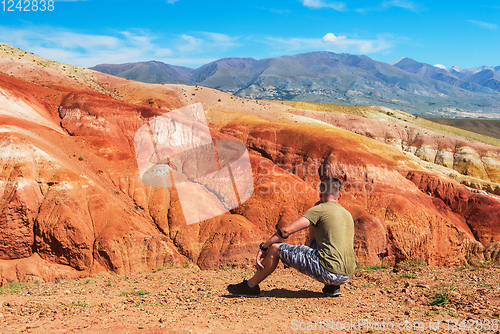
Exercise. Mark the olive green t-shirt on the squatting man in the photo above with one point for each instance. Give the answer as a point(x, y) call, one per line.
point(334, 230)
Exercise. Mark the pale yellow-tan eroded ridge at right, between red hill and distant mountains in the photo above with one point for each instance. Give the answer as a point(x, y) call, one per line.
point(470, 162)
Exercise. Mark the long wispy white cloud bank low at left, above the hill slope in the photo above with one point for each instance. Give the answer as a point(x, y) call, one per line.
point(134, 45)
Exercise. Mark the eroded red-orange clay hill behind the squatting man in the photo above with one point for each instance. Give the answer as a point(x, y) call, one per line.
point(73, 204)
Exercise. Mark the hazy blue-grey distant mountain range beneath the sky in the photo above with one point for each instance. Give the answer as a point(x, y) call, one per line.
point(405, 84)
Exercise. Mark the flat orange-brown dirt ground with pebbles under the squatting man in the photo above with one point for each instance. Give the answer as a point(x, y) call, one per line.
point(189, 300)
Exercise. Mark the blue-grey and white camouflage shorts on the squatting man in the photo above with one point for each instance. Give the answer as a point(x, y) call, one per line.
point(305, 259)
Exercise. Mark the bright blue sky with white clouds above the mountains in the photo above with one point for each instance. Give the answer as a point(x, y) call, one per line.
point(192, 33)
